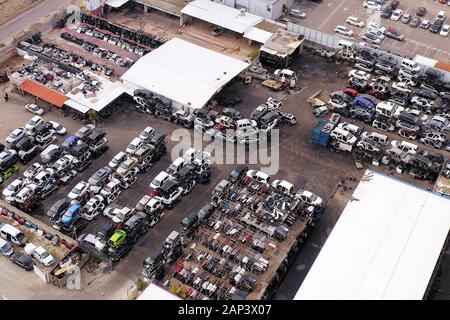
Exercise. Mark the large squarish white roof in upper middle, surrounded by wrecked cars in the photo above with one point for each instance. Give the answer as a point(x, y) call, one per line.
point(184, 72)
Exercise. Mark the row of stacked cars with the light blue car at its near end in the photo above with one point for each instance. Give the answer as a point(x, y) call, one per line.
point(88, 199)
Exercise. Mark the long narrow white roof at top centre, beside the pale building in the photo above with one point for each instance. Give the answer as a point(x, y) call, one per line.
point(221, 15)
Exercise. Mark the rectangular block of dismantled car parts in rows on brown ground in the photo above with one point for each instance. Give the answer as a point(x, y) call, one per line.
point(241, 244)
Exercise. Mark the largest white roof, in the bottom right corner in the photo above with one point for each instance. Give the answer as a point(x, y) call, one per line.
point(385, 245)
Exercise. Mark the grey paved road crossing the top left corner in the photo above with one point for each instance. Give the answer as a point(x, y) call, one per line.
point(30, 16)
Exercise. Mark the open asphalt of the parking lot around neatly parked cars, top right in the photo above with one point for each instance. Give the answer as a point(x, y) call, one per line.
point(327, 15)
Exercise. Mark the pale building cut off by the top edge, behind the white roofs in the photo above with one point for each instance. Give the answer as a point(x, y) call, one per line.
point(270, 9)
